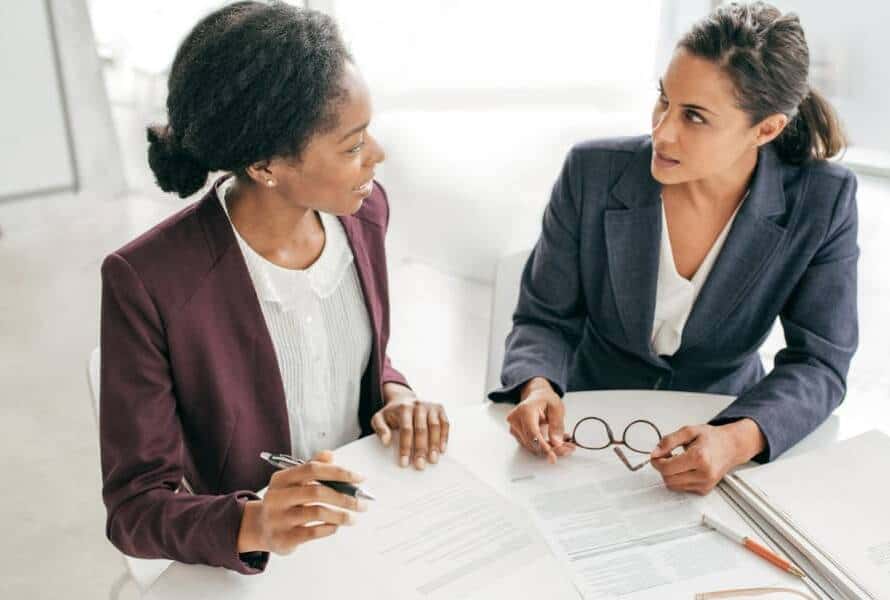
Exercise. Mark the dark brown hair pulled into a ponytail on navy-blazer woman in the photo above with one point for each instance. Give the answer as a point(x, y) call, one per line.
point(765, 54)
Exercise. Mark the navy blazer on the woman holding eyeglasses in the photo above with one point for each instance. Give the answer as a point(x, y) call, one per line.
point(587, 300)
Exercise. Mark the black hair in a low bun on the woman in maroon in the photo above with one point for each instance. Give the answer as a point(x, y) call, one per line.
point(250, 82)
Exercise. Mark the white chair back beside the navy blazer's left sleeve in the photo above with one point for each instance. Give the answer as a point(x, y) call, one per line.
point(504, 298)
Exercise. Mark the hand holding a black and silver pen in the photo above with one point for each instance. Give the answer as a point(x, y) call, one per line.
point(296, 509)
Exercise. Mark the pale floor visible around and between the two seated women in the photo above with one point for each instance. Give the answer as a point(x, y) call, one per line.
point(50, 252)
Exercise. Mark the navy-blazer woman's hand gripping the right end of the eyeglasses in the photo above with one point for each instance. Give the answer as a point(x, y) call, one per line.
point(711, 452)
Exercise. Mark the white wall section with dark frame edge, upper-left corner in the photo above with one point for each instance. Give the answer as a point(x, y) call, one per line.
point(56, 121)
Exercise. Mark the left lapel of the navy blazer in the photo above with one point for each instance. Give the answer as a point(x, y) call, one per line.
point(633, 237)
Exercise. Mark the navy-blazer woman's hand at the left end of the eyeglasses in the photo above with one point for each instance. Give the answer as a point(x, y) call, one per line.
point(540, 405)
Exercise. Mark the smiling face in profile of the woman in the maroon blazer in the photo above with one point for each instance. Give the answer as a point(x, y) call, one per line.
point(334, 174)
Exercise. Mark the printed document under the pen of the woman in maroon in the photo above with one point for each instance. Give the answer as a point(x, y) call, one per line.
point(443, 533)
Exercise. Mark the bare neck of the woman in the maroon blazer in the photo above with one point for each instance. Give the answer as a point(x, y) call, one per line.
point(268, 220)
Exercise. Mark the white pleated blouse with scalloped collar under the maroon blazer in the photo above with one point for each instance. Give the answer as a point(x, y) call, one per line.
point(321, 333)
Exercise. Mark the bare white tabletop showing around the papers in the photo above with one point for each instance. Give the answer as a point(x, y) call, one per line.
point(481, 441)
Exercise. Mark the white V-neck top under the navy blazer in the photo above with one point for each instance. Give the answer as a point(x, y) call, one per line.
point(675, 295)
